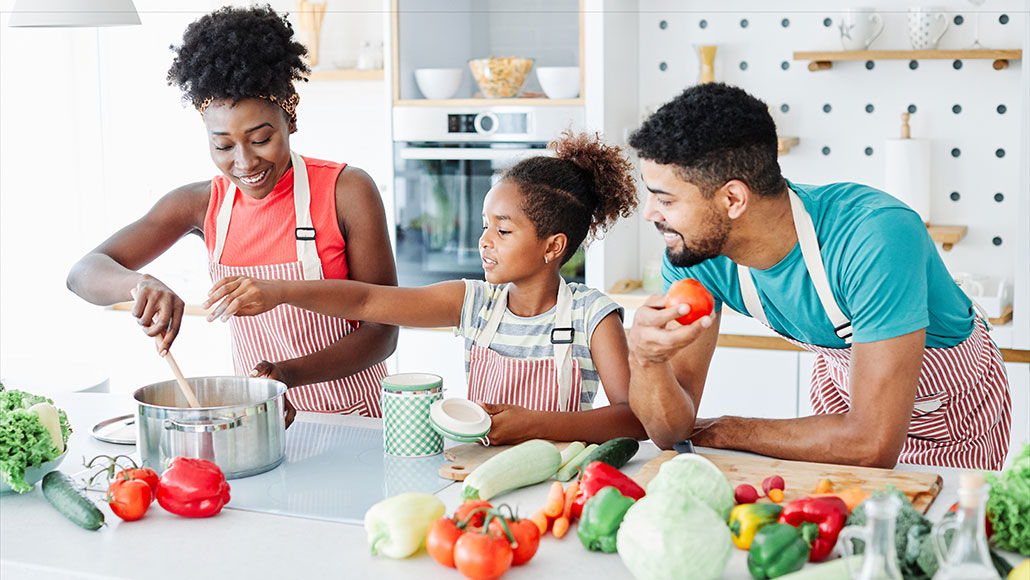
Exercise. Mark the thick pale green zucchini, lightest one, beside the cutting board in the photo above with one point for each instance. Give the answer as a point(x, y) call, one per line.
point(524, 465)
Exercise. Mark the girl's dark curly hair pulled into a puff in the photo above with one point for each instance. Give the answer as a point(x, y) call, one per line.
point(585, 189)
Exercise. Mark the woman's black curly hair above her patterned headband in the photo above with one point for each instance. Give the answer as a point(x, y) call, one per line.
point(237, 54)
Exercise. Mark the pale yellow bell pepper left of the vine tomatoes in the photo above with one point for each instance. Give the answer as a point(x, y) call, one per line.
point(397, 527)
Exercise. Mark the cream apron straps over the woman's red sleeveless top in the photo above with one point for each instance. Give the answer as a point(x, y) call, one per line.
point(307, 252)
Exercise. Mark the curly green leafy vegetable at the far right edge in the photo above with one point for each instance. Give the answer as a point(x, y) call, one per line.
point(1010, 503)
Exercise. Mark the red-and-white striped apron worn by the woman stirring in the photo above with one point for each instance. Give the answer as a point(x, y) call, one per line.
point(288, 332)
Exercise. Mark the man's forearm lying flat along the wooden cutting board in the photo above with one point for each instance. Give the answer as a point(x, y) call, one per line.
point(831, 439)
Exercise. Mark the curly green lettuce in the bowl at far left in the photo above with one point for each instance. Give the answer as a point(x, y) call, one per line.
point(25, 441)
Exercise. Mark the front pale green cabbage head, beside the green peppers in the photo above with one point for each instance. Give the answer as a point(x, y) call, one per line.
point(674, 536)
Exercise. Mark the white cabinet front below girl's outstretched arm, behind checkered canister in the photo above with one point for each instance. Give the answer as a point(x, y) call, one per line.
point(437, 352)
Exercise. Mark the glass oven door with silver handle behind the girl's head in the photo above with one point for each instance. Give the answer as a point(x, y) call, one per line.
point(439, 194)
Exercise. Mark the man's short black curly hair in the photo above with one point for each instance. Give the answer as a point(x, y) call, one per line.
point(714, 133)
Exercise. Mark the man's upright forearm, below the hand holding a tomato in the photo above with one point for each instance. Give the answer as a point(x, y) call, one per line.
point(666, 410)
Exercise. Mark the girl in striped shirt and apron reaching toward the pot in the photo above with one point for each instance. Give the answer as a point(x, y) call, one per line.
point(535, 347)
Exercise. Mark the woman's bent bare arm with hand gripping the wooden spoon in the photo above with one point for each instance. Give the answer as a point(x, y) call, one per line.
point(109, 274)
